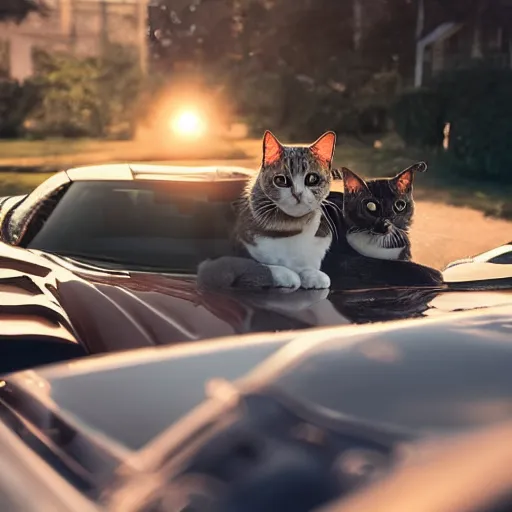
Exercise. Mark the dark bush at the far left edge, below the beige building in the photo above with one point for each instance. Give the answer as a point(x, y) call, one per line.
point(16, 102)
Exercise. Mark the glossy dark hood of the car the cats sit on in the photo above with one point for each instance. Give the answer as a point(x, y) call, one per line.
point(118, 310)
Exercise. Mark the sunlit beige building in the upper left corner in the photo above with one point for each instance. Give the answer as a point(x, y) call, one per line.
point(79, 27)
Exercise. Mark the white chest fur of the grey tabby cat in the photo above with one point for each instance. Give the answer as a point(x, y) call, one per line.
point(299, 252)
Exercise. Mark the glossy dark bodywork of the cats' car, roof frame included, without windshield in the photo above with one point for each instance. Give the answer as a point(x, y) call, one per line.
point(103, 310)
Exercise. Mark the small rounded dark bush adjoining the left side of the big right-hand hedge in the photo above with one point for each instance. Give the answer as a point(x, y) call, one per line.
point(418, 118)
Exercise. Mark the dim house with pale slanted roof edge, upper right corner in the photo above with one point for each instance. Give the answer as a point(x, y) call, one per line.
point(457, 42)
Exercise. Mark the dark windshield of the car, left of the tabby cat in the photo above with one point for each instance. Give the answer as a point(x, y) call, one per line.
point(157, 224)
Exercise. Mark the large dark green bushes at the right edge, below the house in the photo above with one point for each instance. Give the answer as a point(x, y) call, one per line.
point(477, 103)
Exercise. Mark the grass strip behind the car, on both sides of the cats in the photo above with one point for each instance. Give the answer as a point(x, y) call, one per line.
point(439, 184)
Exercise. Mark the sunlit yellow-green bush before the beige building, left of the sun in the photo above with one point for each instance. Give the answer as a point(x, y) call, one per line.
point(93, 97)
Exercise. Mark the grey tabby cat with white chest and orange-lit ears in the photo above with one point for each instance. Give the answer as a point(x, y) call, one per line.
point(282, 234)
